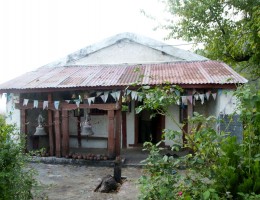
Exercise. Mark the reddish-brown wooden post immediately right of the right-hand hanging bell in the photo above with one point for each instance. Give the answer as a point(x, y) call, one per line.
point(111, 135)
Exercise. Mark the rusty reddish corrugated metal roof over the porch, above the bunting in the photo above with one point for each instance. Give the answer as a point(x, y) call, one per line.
point(197, 72)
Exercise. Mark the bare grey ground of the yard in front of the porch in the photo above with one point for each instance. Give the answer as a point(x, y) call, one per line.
point(79, 182)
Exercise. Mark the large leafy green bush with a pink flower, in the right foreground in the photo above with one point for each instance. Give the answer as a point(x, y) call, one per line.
point(218, 168)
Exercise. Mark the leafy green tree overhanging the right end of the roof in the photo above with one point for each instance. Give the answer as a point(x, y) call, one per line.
point(228, 29)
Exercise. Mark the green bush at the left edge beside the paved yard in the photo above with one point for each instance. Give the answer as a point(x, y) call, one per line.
point(16, 180)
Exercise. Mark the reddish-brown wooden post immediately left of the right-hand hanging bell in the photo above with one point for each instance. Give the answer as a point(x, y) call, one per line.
point(65, 133)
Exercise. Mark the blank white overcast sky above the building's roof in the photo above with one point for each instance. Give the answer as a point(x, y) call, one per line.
point(36, 32)
